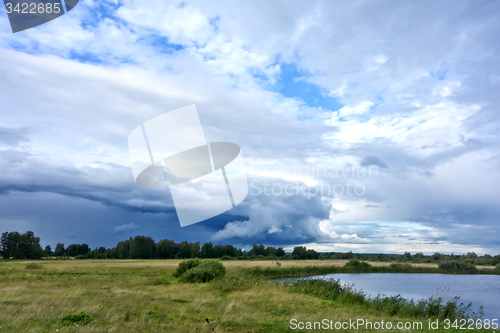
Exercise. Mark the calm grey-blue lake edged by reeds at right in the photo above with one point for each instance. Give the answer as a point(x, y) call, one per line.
point(476, 289)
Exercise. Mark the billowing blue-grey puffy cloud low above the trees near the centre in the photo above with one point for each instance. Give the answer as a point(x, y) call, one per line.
point(277, 218)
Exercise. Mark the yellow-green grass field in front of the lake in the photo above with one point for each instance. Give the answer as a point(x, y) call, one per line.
point(143, 296)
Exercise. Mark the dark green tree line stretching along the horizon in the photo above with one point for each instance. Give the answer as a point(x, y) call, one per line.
point(26, 246)
